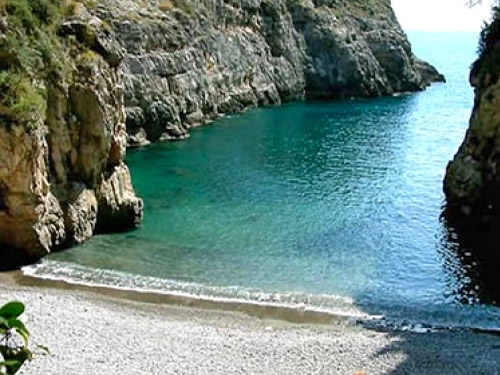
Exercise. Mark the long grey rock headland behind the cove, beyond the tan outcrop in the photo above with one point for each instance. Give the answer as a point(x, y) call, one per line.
point(190, 61)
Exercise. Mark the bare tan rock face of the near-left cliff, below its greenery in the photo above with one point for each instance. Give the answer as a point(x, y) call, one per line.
point(63, 178)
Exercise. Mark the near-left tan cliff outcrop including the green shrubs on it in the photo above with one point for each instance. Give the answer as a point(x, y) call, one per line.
point(62, 132)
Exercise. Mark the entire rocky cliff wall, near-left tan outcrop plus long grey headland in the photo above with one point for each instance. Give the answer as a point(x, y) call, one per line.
point(75, 73)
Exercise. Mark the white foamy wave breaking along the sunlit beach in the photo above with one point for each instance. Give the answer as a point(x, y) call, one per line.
point(338, 306)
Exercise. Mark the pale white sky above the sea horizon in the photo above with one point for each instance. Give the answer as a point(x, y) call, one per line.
point(441, 15)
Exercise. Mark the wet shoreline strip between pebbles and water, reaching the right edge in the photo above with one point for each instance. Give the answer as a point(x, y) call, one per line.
point(273, 307)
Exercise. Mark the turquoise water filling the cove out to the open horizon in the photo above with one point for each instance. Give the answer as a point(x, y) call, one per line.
point(331, 205)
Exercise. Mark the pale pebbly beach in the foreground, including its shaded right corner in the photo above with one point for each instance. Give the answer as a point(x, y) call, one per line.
point(92, 333)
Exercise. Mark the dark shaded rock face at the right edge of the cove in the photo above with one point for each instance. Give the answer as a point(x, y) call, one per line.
point(472, 182)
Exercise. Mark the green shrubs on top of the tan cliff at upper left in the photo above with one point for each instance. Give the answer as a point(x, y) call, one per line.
point(30, 53)
